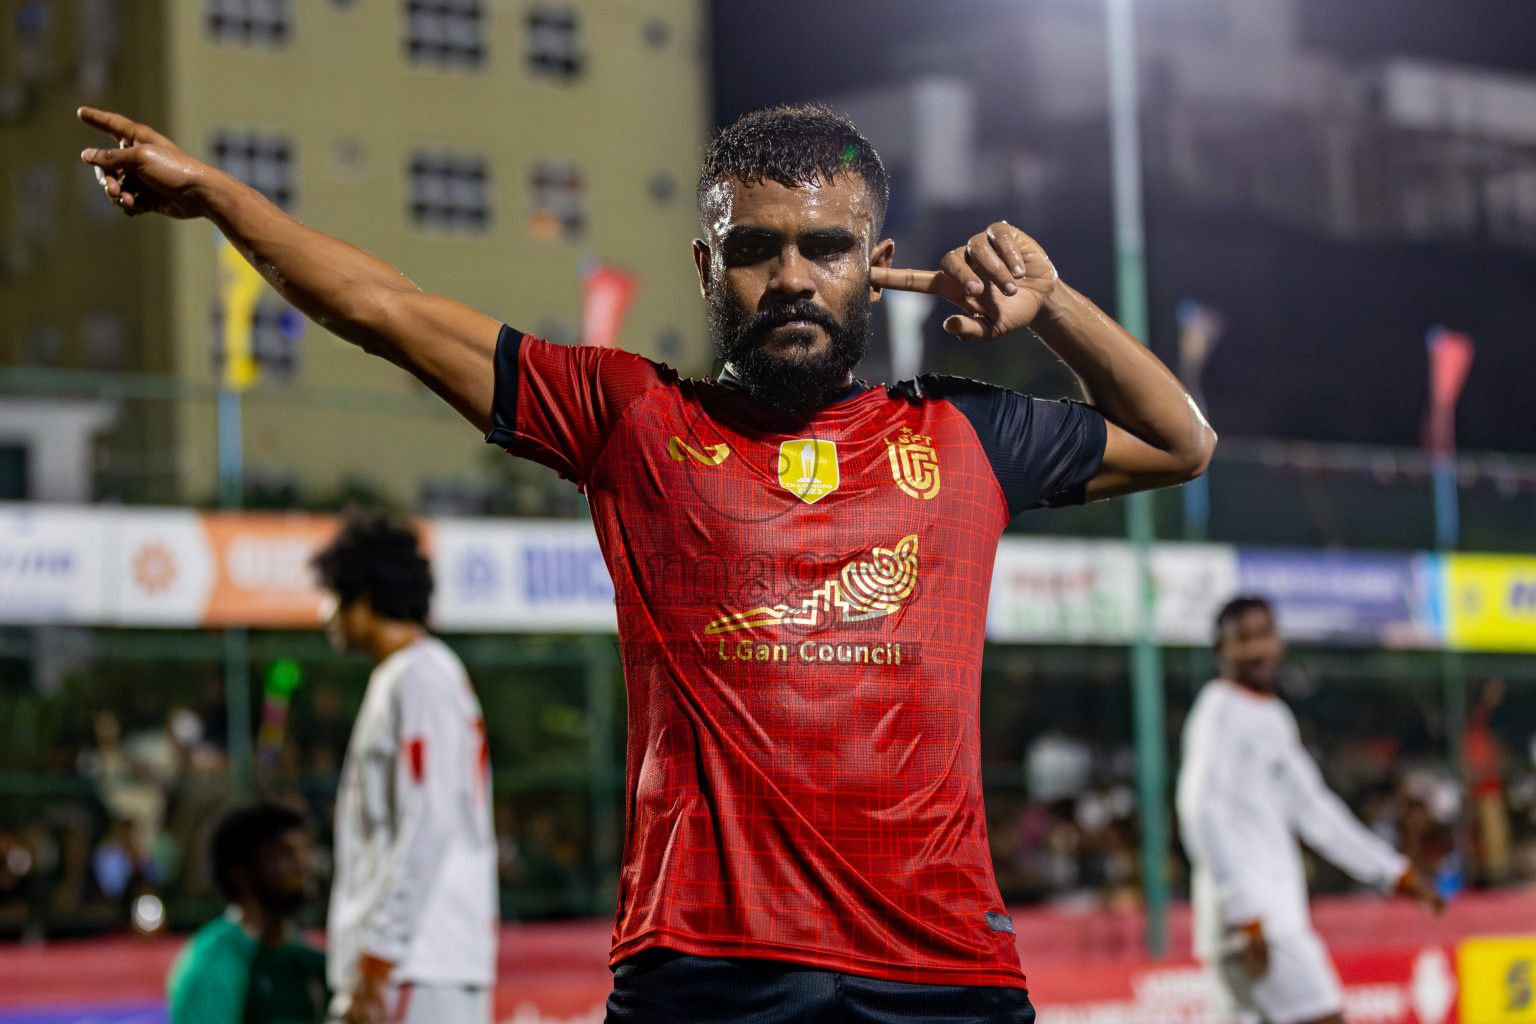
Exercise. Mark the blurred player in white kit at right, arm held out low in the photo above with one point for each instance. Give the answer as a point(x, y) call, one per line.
point(1248, 793)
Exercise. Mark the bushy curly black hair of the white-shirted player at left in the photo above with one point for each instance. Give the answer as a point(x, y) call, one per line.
point(377, 558)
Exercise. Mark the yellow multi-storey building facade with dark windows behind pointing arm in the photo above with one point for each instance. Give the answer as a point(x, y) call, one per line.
point(491, 150)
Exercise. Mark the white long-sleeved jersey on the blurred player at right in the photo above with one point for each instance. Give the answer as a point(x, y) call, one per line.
point(1248, 791)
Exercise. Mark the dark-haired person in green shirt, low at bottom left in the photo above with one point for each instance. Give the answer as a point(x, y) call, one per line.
point(250, 966)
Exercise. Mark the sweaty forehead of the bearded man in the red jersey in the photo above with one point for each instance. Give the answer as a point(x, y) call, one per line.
point(769, 205)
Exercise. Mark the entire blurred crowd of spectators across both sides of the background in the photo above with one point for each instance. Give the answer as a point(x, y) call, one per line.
point(131, 807)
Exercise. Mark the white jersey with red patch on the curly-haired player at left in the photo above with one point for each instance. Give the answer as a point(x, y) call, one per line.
point(415, 876)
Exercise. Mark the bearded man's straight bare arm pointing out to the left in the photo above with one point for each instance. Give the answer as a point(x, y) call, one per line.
point(359, 297)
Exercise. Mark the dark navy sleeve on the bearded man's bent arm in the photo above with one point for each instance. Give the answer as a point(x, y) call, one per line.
point(1044, 454)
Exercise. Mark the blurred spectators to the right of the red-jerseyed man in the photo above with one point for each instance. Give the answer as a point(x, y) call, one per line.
point(1071, 836)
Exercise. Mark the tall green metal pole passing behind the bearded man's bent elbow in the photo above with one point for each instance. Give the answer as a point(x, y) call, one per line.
point(1147, 661)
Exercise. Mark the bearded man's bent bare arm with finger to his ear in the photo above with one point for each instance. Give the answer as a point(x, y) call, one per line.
point(1004, 282)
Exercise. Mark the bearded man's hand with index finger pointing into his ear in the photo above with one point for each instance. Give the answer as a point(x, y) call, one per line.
point(1001, 279)
